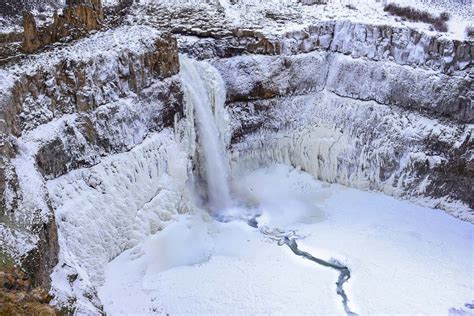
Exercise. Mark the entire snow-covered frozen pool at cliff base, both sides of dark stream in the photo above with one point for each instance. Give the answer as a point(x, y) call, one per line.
point(404, 259)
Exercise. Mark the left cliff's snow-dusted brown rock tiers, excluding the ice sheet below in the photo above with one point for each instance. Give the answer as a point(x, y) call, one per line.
point(71, 108)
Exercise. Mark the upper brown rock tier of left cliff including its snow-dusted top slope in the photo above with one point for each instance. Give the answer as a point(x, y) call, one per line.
point(61, 83)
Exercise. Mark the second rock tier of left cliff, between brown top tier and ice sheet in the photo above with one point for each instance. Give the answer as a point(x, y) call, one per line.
point(82, 141)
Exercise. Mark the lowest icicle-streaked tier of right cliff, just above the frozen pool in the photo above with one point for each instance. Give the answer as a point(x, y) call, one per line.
point(360, 144)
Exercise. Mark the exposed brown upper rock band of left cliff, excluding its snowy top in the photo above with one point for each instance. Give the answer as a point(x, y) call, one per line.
point(79, 86)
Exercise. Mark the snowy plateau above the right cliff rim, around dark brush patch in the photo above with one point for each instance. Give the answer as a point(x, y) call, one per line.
point(274, 16)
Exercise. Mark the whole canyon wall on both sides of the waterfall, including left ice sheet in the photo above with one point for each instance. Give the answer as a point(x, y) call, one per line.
point(94, 154)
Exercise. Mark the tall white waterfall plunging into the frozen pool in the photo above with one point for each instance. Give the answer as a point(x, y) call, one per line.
point(204, 93)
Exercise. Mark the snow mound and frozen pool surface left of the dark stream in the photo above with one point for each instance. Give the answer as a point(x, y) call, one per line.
point(228, 269)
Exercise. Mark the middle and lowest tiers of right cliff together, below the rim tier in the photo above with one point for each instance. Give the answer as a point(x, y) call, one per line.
point(406, 131)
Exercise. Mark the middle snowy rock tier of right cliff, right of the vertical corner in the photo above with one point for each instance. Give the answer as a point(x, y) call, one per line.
point(412, 89)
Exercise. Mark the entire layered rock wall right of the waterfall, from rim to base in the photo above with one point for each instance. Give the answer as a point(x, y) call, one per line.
point(369, 106)
